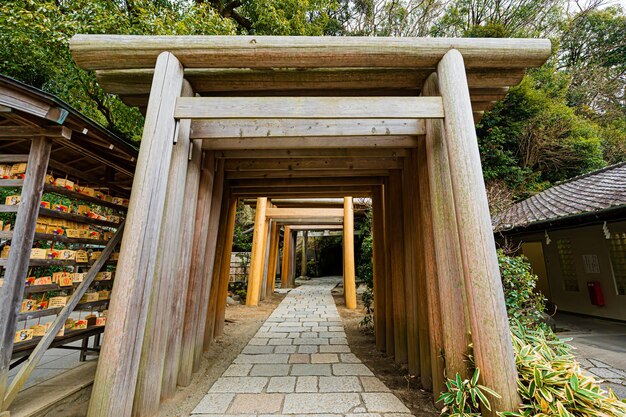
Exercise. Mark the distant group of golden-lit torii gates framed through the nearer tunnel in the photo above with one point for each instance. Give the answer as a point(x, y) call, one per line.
point(266, 238)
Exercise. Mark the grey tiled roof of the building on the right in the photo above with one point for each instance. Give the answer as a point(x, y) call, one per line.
point(588, 193)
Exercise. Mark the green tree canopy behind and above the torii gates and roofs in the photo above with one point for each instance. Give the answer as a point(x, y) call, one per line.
point(564, 119)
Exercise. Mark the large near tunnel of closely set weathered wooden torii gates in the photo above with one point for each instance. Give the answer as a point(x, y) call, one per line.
point(226, 118)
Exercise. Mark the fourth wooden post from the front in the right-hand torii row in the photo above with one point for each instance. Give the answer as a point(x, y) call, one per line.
point(411, 269)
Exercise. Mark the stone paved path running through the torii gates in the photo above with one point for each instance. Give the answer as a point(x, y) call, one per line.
point(299, 364)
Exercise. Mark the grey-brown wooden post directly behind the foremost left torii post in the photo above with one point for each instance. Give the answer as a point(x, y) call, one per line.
point(158, 321)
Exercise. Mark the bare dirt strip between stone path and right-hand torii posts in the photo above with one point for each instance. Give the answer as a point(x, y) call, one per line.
point(395, 377)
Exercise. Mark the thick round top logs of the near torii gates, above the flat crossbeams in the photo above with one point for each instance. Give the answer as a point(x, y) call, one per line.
point(306, 66)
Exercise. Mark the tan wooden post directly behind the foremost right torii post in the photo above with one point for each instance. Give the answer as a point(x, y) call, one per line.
point(449, 265)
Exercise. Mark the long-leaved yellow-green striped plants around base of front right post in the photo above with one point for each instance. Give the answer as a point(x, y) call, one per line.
point(550, 383)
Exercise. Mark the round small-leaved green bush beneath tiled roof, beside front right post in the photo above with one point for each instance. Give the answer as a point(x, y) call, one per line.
point(523, 303)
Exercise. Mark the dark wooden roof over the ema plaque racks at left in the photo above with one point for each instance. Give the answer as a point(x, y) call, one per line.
point(82, 148)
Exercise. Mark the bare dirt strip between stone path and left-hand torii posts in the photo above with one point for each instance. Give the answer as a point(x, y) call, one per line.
point(241, 324)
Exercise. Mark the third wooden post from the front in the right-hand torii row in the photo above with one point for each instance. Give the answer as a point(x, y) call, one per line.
point(429, 268)
